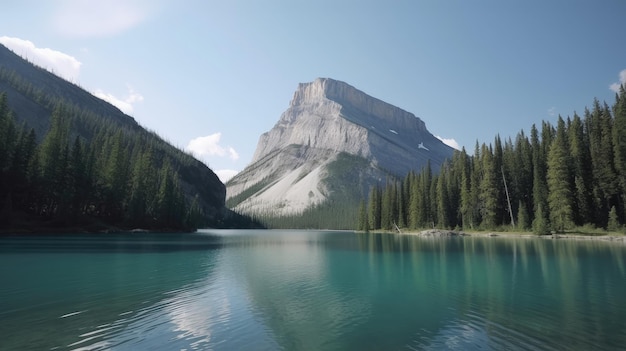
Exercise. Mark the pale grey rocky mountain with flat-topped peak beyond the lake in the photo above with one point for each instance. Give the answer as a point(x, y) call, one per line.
point(331, 145)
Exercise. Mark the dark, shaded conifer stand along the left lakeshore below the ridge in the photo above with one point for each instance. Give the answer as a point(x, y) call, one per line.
point(85, 169)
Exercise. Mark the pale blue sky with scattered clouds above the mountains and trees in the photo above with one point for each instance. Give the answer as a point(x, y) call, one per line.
point(212, 76)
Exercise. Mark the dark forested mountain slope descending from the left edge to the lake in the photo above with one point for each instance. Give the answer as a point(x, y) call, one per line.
point(131, 176)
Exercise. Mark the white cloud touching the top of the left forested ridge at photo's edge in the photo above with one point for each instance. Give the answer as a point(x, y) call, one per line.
point(61, 64)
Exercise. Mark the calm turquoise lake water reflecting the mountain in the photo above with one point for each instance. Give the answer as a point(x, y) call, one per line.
point(309, 290)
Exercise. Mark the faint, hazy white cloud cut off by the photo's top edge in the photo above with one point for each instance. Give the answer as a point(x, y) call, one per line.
point(84, 18)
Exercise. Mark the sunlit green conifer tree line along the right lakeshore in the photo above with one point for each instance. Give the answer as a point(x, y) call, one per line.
point(556, 178)
